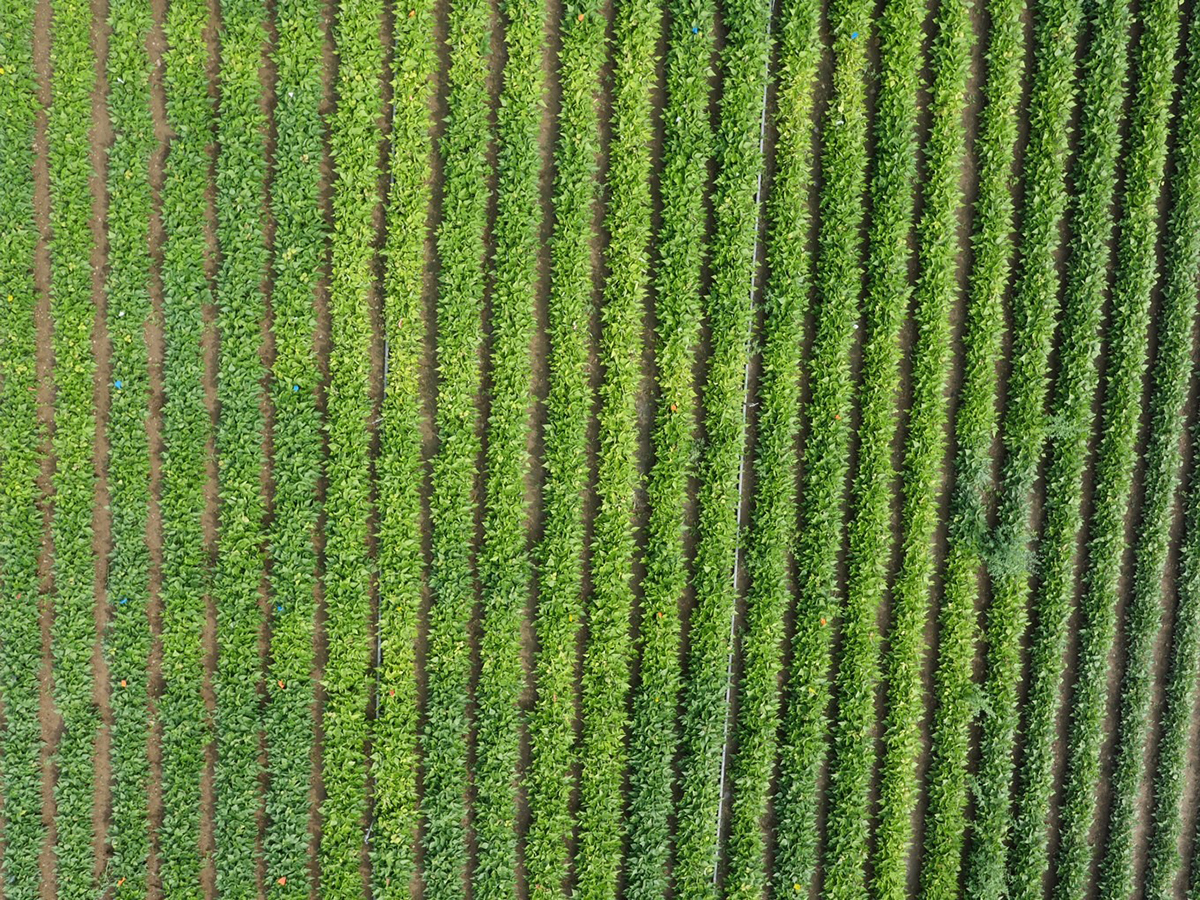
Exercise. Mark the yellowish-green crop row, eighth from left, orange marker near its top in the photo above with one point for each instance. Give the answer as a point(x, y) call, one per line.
point(400, 466)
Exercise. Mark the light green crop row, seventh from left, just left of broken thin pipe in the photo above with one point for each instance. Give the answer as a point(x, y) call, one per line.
point(355, 142)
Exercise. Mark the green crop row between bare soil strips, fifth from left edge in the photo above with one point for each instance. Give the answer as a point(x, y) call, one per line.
point(241, 200)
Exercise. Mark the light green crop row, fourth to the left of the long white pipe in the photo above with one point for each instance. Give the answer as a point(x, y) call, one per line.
point(568, 410)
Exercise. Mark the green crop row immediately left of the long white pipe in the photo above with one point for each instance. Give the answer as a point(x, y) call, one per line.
point(730, 314)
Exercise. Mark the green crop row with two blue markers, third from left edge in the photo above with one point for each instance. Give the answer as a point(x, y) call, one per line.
point(128, 287)
